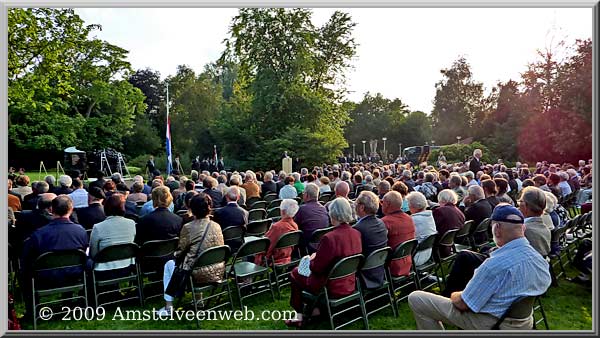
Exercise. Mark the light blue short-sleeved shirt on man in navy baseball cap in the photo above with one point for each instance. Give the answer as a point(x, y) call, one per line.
point(513, 271)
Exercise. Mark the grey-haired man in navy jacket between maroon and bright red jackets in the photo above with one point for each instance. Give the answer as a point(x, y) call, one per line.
point(373, 233)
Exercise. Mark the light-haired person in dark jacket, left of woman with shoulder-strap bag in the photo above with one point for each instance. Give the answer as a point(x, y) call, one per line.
point(161, 223)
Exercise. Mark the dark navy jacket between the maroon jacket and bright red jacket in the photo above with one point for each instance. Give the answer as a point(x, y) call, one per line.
point(374, 236)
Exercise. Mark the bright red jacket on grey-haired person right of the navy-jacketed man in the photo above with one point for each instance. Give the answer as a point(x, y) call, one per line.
point(401, 228)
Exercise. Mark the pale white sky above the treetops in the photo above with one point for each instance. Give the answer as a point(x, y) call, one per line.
point(400, 50)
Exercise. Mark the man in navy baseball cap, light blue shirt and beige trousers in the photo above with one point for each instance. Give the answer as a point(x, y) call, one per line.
point(513, 271)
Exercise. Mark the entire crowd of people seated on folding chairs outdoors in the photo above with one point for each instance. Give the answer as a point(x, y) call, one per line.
point(372, 206)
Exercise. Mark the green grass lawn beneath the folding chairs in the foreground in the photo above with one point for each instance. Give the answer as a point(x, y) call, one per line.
point(567, 307)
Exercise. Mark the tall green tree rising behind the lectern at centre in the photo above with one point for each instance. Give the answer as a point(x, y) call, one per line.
point(290, 81)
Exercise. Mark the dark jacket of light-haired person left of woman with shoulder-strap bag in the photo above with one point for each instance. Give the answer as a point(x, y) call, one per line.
point(158, 225)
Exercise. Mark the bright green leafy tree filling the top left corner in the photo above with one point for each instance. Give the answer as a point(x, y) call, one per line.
point(65, 87)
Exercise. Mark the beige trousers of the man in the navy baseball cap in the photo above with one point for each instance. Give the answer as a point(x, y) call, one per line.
point(431, 311)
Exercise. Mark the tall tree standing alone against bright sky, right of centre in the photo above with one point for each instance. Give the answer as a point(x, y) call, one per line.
point(458, 100)
